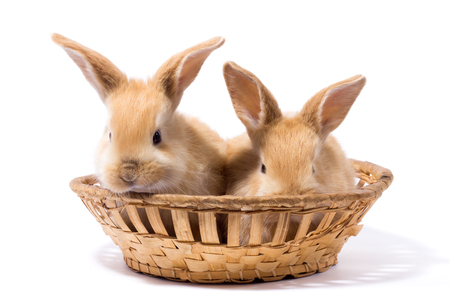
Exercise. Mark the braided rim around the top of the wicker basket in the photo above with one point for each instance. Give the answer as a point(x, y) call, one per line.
point(377, 177)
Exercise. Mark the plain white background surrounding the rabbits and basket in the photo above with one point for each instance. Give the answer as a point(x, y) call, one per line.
point(51, 120)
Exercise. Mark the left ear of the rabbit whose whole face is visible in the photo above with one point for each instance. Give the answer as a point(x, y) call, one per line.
point(99, 71)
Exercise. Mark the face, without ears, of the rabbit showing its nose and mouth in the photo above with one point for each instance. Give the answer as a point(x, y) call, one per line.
point(135, 151)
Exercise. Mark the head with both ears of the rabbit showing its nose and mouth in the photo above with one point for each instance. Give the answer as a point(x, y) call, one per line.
point(142, 146)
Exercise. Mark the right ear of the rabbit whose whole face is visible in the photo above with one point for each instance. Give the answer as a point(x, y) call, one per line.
point(177, 73)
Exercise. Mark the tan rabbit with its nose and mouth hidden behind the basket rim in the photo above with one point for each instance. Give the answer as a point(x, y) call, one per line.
point(286, 154)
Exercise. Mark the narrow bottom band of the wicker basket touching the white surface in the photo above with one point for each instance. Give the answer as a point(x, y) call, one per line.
point(244, 276)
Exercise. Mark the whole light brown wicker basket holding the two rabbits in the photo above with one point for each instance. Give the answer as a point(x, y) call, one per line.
point(186, 250)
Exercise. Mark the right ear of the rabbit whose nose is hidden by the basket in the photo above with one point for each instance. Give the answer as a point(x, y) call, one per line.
point(326, 110)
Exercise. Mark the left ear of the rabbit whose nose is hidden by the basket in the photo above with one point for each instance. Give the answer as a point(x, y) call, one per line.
point(254, 104)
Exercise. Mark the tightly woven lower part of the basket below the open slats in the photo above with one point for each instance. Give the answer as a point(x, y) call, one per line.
point(167, 257)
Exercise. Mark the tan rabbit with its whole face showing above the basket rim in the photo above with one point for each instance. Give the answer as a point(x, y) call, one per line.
point(148, 146)
